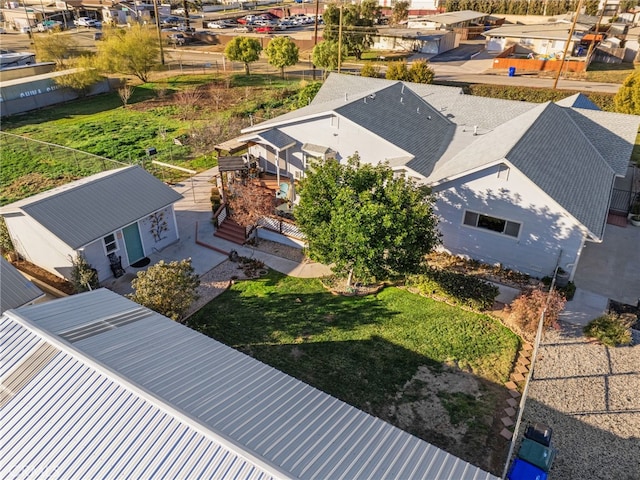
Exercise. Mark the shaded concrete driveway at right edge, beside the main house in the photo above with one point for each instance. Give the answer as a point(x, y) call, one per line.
point(612, 268)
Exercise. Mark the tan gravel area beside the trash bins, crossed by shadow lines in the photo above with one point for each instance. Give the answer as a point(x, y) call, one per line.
point(590, 396)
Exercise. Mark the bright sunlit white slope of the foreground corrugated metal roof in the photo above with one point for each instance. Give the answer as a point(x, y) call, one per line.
point(72, 420)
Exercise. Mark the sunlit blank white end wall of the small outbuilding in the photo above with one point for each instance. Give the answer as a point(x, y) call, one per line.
point(38, 246)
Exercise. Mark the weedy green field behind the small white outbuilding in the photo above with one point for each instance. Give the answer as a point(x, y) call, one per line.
point(101, 126)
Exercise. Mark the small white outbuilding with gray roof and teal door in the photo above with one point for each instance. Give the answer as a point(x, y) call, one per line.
point(124, 213)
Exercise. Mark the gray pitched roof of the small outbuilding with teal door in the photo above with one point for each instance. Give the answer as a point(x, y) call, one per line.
point(85, 210)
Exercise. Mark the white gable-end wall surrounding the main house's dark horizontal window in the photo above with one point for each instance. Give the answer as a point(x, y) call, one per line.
point(546, 233)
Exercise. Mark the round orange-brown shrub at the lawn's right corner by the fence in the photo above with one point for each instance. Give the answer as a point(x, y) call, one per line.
point(527, 308)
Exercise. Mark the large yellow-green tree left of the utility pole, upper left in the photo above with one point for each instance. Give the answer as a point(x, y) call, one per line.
point(132, 51)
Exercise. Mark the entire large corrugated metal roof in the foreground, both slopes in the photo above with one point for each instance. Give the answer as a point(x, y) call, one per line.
point(127, 393)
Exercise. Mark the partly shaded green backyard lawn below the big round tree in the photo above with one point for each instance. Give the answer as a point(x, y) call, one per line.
point(359, 349)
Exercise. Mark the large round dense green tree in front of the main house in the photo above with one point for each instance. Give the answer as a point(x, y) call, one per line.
point(365, 221)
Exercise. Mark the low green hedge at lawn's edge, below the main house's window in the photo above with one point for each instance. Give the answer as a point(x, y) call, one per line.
point(456, 288)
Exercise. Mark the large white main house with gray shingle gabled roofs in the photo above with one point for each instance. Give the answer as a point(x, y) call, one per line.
point(521, 184)
